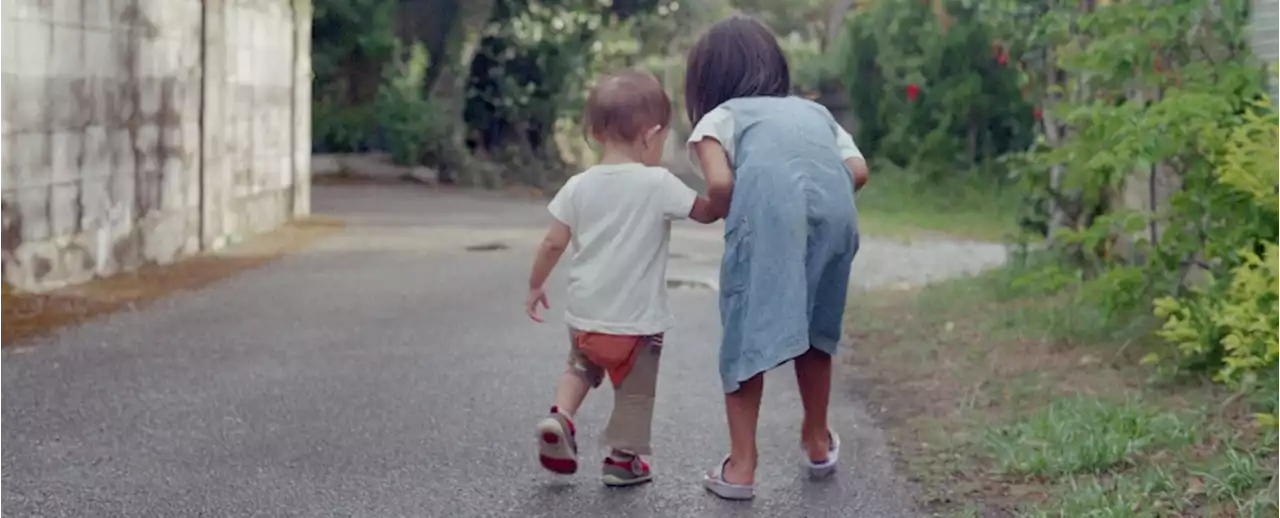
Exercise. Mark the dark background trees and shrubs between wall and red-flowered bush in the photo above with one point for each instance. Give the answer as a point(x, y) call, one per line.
point(513, 74)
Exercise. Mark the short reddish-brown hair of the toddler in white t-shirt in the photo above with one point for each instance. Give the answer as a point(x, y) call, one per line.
point(624, 107)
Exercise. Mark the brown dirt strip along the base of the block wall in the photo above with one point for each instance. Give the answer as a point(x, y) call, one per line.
point(24, 317)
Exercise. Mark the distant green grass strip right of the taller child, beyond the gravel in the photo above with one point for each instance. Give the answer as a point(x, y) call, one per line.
point(895, 205)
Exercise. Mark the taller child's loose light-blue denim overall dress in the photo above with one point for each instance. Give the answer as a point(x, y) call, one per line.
point(790, 237)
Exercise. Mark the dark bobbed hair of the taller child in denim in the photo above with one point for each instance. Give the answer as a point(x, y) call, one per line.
point(737, 58)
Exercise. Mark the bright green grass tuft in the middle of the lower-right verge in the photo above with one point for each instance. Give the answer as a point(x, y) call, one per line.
point(1084, 436)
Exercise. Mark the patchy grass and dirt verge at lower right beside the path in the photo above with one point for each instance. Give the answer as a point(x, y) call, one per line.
point(1039, 409)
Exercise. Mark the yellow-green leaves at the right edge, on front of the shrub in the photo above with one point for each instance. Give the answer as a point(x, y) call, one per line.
point(1233, 320)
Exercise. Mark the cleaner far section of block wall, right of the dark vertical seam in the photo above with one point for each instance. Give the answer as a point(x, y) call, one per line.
point(255, 135)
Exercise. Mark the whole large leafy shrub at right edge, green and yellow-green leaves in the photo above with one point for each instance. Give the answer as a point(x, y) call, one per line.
point(1163, 98)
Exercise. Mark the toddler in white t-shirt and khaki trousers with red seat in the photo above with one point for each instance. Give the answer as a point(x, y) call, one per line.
point(618, 216)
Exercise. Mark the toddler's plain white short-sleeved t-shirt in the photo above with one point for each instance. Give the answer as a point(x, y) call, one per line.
point(620, 217)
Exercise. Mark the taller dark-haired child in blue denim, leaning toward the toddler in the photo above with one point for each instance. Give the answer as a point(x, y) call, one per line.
point(785, 173)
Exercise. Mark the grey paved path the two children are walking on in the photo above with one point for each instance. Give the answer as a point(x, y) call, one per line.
point(390, 373)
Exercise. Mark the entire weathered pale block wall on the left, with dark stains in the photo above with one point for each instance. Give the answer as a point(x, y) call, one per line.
point(121, 145)
